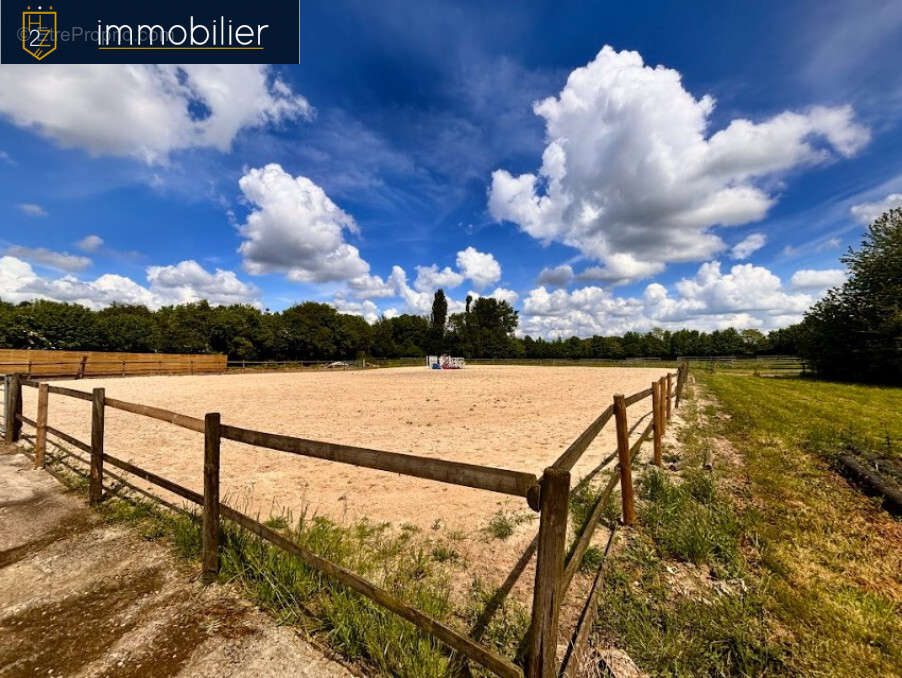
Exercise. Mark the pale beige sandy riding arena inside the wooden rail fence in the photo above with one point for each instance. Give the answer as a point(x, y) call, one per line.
point(517, 418)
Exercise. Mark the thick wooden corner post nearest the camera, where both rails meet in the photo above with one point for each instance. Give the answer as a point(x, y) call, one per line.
point(546, 602)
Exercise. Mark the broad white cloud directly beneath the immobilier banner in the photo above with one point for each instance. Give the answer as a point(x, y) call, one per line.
point(146, 111)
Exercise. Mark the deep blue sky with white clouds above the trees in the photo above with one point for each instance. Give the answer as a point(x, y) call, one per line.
point(604, 167)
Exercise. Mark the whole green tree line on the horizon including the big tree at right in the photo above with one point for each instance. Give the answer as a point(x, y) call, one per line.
point(854, 332)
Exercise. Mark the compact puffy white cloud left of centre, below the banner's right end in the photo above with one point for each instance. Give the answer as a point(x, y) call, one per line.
point(296, 229)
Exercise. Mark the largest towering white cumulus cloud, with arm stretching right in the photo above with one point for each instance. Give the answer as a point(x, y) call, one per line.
point(632, 169)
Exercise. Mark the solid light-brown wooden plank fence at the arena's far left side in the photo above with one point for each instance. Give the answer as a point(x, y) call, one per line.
point(81, 364)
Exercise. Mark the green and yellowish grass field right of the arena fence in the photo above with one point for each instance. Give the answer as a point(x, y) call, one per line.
point(771, 564)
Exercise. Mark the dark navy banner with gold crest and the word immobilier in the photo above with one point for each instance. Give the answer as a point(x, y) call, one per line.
point(195, 31)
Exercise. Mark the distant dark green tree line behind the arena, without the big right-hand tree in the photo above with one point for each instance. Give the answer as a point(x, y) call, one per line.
point(316, 331)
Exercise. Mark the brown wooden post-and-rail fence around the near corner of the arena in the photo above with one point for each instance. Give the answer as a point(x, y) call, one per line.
point(556, 564)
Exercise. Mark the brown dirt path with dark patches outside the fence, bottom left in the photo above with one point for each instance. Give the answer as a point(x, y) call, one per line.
point(81, 598)
